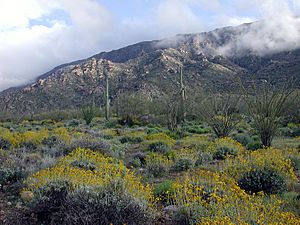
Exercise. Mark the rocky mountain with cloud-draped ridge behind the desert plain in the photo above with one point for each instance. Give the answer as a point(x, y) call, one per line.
point(152, 67)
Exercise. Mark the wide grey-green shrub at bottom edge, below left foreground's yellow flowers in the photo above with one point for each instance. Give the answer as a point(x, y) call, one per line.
point(99, 206)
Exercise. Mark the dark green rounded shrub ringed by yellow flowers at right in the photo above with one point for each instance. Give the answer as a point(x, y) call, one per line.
point(265, 179)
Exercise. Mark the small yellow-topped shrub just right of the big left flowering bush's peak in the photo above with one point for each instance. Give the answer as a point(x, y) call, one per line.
point(157, 165)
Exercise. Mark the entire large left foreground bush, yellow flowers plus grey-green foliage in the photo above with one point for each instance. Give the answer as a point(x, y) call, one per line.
point(68, 194)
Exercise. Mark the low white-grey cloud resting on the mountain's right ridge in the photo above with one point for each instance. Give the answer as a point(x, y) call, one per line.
point(278, 31)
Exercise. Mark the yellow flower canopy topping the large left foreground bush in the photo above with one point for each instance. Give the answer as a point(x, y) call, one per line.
point(107, 170)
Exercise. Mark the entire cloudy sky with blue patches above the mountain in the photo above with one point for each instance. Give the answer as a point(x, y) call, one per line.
point(37, 35)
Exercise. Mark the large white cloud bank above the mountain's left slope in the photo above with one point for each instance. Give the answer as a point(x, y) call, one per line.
point(28, 51)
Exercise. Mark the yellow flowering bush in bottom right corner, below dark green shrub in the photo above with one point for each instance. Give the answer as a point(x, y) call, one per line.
point(213, 198)
